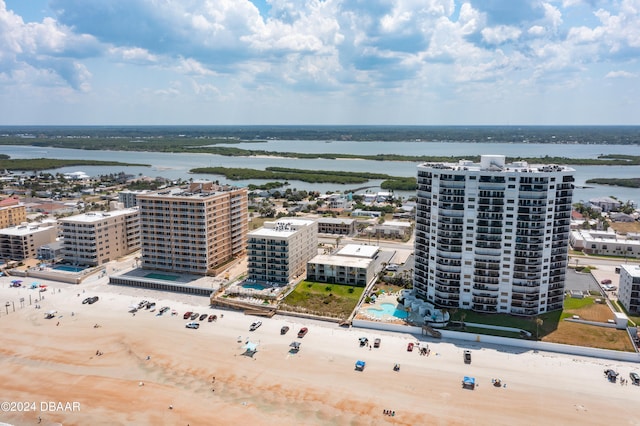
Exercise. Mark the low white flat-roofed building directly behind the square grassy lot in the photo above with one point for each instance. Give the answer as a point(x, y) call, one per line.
point(354, 264)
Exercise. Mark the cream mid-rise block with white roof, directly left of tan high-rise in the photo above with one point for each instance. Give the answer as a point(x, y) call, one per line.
point(96, 238)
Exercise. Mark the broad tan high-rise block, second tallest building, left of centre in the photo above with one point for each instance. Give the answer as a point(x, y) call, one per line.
point(198, 230)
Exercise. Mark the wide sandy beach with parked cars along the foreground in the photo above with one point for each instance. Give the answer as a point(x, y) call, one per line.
point(153, 370)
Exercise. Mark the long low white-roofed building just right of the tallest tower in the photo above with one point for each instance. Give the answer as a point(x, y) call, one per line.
point(607, 243)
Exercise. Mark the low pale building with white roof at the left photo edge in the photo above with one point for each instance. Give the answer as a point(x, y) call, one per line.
point(23, 241)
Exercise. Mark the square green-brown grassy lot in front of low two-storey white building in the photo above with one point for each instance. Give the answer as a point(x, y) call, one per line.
point(331, 300)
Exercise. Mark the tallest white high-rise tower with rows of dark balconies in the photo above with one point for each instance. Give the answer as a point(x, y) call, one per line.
point(493, 237)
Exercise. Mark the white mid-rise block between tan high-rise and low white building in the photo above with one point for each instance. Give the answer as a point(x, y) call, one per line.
point(278, 253)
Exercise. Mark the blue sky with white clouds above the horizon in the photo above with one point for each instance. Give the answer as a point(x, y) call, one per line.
point(319, 62)
